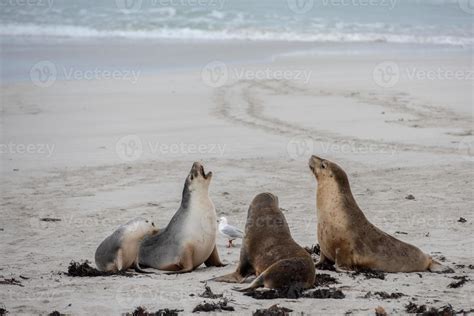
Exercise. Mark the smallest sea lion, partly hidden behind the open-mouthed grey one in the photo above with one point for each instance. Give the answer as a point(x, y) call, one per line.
point(119, 251)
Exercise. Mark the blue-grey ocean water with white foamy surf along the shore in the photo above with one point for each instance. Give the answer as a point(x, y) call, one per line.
point(423, 22)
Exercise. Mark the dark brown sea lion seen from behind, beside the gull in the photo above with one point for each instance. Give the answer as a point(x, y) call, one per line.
point(269, 252)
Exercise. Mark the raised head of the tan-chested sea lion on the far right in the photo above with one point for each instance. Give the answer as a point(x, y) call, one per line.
point(325, 170)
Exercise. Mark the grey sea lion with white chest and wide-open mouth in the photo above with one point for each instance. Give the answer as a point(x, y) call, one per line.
point(190, 238)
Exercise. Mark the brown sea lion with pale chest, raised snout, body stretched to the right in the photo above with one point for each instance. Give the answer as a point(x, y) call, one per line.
point(348, 239)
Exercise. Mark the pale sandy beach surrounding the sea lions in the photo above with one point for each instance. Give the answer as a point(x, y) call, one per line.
point(96, 152)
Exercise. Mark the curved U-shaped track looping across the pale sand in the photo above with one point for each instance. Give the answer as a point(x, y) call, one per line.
point(242, 103)
